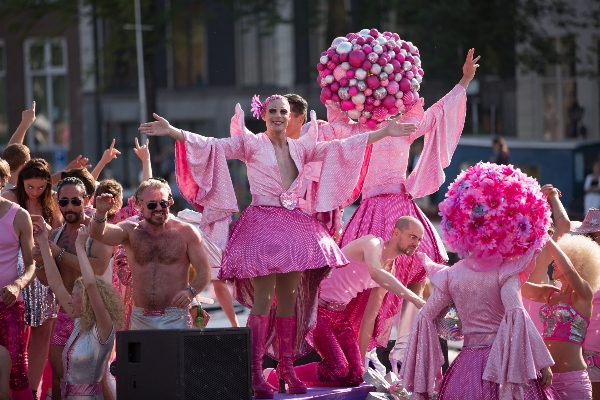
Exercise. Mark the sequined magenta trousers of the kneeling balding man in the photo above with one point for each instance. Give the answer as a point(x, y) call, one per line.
point(335, 341)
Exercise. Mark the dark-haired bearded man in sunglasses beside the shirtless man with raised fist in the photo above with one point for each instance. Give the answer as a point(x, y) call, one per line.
point(72, 199)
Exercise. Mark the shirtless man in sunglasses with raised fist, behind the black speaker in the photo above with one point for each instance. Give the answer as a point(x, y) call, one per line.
point(160, 251)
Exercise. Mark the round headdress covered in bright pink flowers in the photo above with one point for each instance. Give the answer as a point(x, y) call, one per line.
point(494, 210)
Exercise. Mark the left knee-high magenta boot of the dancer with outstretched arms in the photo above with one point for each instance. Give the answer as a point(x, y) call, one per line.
point(259, 325)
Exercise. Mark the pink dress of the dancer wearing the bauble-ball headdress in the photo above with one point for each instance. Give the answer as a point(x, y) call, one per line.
point(387, 194)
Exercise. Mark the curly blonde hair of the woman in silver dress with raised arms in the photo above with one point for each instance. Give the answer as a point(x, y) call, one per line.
point(111, 301)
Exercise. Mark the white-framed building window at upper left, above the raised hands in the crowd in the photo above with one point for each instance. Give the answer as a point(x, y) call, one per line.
point(46, 83)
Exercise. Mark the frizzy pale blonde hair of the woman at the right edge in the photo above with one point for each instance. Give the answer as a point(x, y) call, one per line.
point(584, 254)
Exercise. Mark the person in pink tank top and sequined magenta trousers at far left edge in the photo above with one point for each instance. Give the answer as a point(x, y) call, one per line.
point(16, 233)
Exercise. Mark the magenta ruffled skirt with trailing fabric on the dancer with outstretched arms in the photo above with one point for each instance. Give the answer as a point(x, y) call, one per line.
point(268, 240)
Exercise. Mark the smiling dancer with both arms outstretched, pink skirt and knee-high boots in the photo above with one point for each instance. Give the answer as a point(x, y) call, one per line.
point(274, 249)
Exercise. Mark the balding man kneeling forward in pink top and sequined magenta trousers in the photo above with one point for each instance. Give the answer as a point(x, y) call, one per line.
point(371, 267)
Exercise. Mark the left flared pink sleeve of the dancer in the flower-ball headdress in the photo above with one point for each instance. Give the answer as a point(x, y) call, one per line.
point(421, 370)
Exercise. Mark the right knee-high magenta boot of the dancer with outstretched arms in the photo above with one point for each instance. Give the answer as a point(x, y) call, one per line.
point(286, 336)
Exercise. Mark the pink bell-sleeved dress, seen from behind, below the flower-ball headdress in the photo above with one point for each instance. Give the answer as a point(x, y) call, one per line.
point(502, 353)
